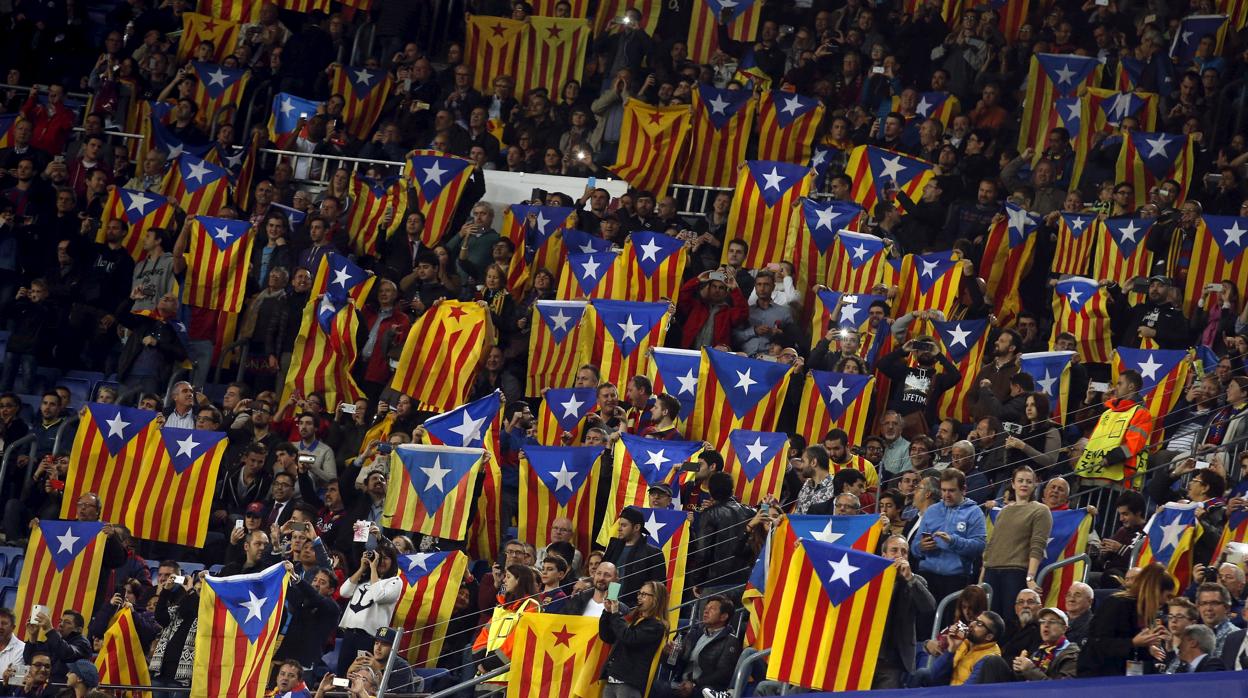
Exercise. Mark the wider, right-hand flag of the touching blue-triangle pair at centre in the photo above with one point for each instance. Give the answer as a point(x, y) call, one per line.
point(621, 335)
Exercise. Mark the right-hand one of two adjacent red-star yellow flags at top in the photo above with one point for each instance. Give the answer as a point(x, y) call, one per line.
point(552, 53)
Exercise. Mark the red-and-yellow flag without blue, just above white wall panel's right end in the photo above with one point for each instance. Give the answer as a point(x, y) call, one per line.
point(652, 139)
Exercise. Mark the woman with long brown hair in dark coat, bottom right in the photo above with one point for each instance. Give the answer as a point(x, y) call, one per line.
point(1129, 624)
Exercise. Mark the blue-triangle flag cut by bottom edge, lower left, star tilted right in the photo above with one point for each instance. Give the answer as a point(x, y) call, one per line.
point(239, 629)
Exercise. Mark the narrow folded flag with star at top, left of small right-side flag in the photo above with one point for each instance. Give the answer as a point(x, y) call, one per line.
point(1008, 255)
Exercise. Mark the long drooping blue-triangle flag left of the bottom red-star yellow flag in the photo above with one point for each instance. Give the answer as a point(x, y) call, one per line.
point(431, 584)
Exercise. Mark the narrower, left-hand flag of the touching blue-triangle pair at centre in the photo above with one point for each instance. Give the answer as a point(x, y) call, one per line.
point(555, 345)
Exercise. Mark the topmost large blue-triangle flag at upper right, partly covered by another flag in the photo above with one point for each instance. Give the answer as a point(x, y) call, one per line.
point(1050, 78)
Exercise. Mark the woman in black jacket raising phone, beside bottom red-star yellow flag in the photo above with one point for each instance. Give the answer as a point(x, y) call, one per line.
point(635, 639)
